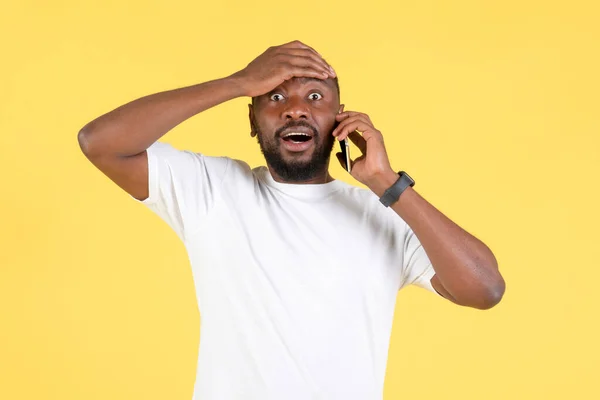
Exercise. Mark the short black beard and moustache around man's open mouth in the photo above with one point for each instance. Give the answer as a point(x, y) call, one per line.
point(296, 170)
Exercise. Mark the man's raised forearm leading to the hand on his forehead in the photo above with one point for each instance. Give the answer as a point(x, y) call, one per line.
point(133, 127)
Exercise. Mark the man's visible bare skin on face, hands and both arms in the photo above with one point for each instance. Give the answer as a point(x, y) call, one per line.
point(466, 271)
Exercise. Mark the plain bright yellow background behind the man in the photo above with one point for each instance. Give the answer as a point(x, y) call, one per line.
point(492, 106)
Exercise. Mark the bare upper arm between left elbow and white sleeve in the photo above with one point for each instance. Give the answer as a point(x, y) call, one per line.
point(129, 173)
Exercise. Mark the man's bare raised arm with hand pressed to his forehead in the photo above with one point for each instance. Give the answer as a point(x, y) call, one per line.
point(116, 142)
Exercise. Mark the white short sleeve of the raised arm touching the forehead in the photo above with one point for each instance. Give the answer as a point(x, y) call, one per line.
point(183, 186)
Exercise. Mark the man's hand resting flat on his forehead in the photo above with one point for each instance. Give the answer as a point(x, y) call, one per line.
point(279, 64)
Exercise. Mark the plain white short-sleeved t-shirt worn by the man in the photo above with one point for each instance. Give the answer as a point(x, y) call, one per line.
point(296, 284)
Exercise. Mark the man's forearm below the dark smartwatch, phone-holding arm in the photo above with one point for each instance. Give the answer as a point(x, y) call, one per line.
point(464, 266)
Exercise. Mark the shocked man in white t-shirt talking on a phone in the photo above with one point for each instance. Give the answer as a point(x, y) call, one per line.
point(296, 273)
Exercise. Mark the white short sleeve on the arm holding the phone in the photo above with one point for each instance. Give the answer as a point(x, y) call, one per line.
point(417, 269)
